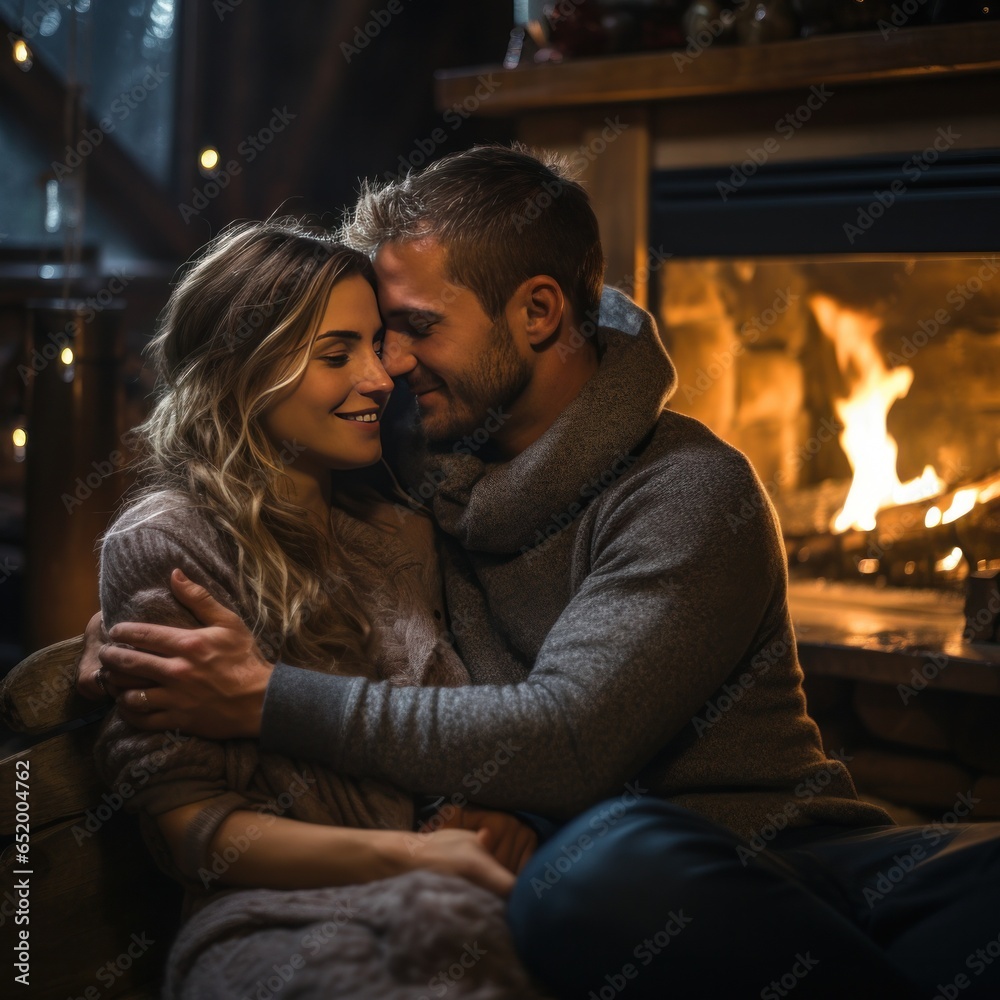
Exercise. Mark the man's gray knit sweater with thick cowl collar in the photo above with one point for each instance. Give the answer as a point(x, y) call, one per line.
point(624, 617)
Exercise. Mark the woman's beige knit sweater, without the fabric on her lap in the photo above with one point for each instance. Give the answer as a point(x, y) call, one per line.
point(398, 582)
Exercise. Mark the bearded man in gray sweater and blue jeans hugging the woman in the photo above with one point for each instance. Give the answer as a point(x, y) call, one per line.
point(635, 667)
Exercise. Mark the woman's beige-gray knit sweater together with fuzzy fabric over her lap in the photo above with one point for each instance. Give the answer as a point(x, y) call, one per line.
point(390, 938)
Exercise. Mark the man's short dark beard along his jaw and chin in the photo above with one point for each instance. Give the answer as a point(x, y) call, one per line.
point(498, 379)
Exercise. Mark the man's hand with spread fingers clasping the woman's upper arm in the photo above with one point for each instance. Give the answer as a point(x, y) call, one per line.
point(208, 681)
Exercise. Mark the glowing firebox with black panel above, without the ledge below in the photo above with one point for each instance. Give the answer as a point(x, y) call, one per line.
point(864, 387)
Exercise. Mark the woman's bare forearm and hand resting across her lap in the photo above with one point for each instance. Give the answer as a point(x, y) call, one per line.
point(273, 852)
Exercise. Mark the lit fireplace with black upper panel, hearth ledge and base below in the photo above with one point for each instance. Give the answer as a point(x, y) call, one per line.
point(864, 386)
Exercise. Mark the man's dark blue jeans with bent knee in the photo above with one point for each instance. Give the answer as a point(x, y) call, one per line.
point(651, 900)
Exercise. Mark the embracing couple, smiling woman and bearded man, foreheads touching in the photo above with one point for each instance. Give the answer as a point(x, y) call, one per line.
point(529, 650)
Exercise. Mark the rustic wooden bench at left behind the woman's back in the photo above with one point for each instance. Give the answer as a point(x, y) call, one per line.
point(101, 916)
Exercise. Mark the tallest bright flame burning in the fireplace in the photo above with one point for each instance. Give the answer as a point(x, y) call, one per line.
point(869, 447)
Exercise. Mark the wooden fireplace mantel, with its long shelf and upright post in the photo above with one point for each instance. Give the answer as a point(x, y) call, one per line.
point(681, 108)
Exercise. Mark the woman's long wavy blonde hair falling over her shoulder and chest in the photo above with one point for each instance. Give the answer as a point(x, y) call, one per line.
point(236, 333)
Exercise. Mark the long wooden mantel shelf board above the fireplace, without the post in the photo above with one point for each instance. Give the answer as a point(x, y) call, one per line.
point(945, 50)
